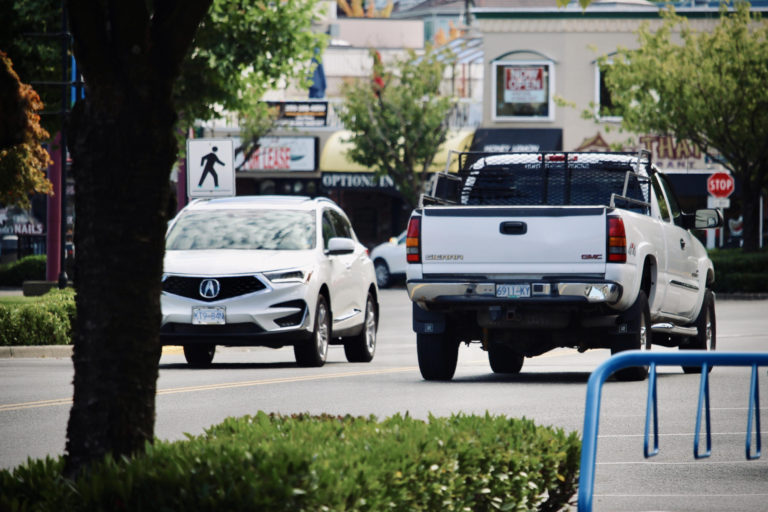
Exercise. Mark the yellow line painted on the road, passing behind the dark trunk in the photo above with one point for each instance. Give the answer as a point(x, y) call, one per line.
point(226, 385)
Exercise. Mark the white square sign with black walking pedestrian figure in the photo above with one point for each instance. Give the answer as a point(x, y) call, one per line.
point(210, 168)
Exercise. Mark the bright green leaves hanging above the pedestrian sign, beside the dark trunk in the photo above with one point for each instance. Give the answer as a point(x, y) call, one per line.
point(243, 49)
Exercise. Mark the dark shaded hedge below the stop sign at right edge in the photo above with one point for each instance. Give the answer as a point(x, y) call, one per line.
point(740, 272)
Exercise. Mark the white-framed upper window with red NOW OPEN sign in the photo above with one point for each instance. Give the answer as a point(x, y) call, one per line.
point(523, 90)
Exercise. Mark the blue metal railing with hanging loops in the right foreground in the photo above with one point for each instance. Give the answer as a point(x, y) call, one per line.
point(653, 359)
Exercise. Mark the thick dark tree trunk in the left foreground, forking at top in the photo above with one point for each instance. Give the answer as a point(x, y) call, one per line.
point(123, 146)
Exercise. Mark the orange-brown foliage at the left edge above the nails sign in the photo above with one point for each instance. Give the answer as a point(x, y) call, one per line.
point(22, 158)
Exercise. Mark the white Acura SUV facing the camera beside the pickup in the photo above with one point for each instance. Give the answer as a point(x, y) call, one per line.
point(268, 271)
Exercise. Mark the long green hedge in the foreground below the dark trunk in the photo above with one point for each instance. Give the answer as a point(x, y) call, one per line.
point(313, 463)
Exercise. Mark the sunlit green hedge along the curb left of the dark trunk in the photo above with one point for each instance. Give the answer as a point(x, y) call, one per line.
point(47, 320)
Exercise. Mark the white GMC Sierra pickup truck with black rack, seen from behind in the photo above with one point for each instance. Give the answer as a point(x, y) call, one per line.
point(527, 252)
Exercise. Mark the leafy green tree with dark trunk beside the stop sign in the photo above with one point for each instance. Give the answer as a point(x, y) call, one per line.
point(706, 87)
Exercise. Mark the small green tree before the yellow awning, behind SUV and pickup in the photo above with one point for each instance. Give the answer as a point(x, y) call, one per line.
point(398, 119)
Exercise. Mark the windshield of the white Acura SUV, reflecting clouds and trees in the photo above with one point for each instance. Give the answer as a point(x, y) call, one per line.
point(278, 230)
